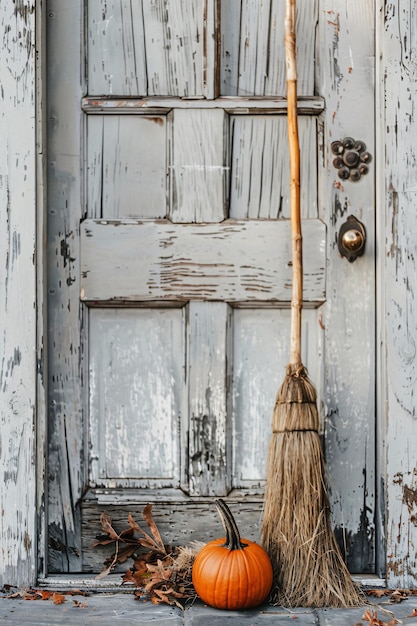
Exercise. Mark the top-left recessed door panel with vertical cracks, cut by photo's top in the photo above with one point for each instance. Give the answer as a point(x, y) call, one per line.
point(147, 47)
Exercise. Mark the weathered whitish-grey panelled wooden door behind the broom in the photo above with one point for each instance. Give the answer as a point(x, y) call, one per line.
point(169, 273)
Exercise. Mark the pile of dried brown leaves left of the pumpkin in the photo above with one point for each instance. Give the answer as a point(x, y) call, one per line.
point(159, 571)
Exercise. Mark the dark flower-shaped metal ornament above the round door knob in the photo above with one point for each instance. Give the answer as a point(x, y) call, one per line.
point(351, 158)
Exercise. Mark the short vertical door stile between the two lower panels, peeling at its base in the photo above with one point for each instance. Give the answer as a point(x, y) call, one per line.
point(209, 324)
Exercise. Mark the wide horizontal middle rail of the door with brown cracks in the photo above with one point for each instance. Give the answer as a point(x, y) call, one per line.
point(235, 261)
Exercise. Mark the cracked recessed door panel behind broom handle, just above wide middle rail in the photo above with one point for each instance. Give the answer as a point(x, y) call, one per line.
point(260, 167)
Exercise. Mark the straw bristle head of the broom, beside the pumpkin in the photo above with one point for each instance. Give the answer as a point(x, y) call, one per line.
point(296, 532)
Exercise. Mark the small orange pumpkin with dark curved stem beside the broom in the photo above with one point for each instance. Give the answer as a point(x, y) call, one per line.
point(232, 573)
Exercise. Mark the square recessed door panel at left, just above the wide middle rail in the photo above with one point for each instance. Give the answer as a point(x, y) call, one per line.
point(127, 166)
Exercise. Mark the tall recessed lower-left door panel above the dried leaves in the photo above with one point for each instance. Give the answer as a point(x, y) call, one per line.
point(136, 396)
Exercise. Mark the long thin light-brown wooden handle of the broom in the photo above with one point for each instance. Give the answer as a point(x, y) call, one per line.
point(294, 150)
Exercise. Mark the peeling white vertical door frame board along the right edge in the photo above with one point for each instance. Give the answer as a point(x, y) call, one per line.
point(398, 289)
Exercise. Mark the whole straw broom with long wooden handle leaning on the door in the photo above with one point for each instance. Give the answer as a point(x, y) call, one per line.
point(296, 530)
